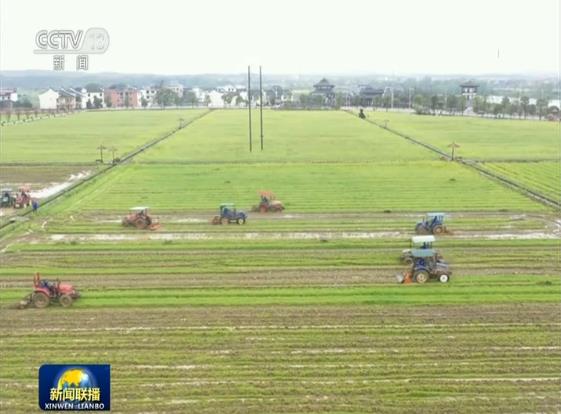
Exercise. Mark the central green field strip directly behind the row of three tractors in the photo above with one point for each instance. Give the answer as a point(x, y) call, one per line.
point(401, 186)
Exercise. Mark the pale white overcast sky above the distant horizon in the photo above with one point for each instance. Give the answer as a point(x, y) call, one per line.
point(294, 36)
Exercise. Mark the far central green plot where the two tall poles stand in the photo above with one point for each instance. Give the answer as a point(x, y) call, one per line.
point(308, 136)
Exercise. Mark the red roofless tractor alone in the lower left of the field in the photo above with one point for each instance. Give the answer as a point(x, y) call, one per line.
point(46, 292)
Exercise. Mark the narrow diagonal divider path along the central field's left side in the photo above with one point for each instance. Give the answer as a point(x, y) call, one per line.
point(124, 160)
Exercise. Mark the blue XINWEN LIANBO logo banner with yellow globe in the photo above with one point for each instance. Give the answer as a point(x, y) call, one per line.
point(75, 387)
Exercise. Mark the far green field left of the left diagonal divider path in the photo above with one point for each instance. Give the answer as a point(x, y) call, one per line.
point(74, 138)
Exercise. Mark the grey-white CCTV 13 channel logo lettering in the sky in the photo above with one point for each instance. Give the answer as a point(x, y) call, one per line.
point(95, 41)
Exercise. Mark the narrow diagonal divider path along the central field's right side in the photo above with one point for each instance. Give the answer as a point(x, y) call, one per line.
point(550, 202)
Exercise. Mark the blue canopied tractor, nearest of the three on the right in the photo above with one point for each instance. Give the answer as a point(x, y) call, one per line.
point(426, 265)
